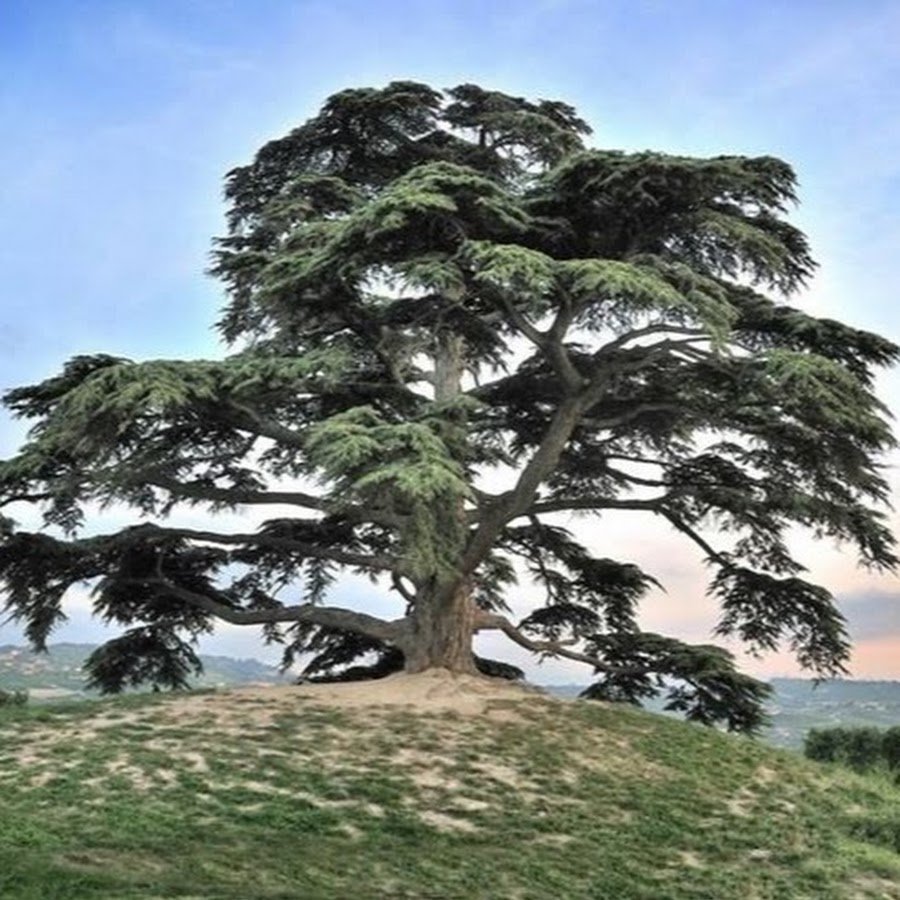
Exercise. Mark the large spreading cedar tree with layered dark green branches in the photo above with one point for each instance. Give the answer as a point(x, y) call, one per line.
point(430, 294)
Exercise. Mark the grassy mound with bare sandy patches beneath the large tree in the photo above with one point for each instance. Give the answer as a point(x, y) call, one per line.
point(147, 797)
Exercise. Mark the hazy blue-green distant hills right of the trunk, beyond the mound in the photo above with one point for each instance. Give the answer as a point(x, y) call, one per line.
point(799, 704)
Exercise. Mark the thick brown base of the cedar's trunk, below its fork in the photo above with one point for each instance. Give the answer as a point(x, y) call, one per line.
point(442, 628)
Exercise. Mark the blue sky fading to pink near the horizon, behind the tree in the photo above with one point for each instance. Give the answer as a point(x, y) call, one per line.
point(120, 119)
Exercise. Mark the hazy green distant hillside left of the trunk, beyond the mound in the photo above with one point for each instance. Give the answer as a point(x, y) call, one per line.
point(58, 673)
